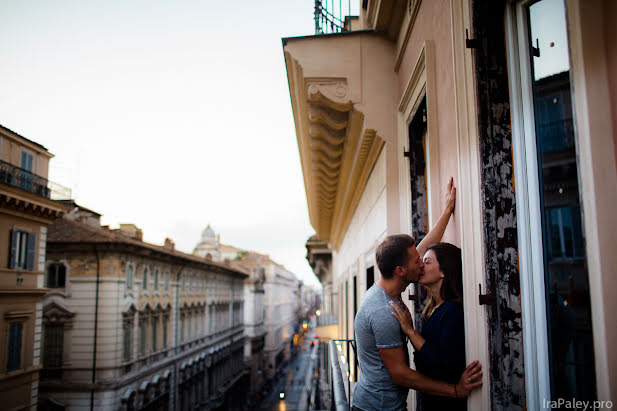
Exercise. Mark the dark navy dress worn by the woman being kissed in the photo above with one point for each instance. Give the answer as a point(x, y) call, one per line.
point(442, 356)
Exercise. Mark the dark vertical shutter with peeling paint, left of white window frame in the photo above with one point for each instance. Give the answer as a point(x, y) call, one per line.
point(507, 382)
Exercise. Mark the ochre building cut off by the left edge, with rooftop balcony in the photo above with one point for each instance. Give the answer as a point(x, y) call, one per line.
point(26, 210)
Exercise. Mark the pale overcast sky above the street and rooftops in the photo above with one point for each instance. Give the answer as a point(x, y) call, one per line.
point(171, 115)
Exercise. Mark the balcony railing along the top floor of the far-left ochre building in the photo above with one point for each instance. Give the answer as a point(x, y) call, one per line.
point(26, 180)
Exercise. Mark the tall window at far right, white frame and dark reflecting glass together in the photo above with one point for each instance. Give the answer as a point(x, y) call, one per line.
point(554, 280)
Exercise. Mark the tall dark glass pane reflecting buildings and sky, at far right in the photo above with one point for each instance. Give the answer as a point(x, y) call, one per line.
point(571, 354)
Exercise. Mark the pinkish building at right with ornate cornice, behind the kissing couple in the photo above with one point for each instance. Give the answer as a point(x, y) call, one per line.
point(517, 101)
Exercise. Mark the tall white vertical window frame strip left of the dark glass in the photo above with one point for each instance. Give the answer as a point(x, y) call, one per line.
point(528, 209)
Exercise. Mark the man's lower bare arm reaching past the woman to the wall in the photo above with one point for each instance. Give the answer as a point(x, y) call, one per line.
point(394, 360)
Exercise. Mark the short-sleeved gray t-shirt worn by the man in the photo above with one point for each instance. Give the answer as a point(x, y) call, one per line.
point(377, 328)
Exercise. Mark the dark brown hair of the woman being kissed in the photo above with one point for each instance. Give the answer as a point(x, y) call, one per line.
point(451, 265)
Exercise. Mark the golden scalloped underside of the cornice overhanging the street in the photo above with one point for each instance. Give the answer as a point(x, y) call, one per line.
point(336, 152)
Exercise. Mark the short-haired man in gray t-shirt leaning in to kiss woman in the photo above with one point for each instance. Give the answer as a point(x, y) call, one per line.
point(385, 376)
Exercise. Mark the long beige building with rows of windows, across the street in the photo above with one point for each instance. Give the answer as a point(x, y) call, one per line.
point(131, 325)
